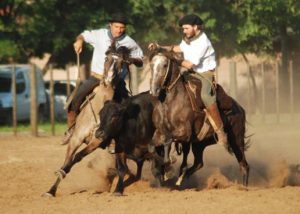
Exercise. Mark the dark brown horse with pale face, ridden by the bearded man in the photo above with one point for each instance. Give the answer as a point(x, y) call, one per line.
point(180, 117)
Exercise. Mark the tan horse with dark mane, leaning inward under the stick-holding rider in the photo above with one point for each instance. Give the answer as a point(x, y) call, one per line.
point(88, 119)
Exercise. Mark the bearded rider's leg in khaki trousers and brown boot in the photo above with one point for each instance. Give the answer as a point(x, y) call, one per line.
point(208, 96)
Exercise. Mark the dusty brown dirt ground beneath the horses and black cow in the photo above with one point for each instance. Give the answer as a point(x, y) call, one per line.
point(27, 168)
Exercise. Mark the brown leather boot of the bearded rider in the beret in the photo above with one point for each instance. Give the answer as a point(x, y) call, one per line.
point(217, 123)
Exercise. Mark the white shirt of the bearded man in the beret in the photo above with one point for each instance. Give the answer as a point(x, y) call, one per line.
point(200, 52)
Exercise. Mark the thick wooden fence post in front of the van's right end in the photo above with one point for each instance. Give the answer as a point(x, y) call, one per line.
point(33, 102)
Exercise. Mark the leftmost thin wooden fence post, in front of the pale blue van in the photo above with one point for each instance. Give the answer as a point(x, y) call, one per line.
point(14, 99)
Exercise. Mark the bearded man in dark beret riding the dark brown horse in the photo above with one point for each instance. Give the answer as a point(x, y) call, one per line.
point(199, 56)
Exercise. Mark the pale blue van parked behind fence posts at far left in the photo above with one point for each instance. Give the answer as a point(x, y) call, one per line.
point(22, 93)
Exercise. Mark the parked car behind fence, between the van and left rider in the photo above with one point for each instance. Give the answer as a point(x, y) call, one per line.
point(60, 97)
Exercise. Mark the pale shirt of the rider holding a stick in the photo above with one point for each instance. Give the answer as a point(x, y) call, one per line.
point(100, 41)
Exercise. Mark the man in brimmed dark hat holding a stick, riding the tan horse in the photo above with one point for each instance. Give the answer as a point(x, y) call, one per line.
point(101, 40)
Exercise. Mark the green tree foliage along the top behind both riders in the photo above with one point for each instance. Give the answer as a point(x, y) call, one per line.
point(35, 27)
